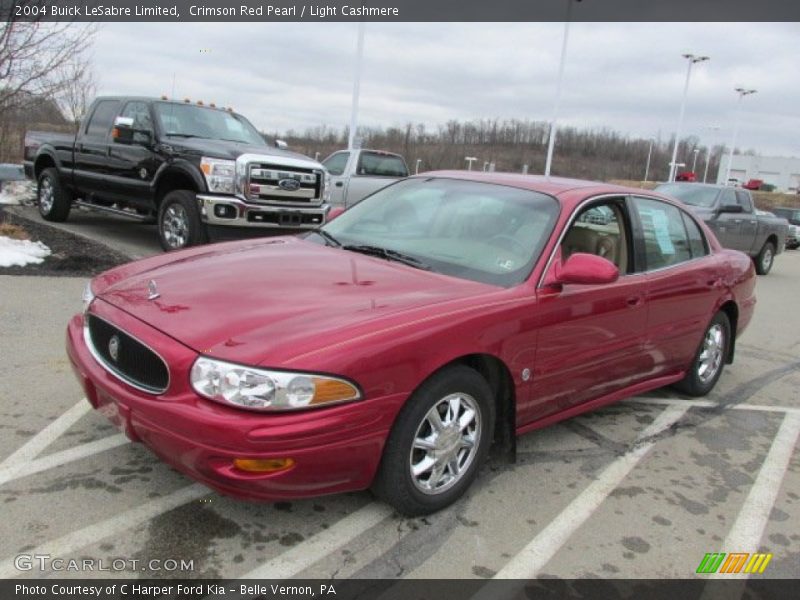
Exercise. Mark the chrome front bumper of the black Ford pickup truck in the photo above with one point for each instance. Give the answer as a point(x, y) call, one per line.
point(229, 211)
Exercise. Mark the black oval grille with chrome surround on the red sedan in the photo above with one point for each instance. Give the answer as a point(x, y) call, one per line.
point(126, 357)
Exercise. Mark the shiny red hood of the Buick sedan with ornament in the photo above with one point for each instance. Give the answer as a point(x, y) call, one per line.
point(267, 301)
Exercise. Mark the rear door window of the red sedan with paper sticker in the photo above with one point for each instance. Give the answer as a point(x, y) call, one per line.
point(665, 239)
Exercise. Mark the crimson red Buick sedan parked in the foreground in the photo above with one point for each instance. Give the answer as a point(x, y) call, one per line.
point(393, 346)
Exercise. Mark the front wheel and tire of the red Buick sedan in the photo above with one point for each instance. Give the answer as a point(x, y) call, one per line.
point(438, 442)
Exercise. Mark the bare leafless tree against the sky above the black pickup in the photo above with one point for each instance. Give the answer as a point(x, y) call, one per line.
point(33, 55)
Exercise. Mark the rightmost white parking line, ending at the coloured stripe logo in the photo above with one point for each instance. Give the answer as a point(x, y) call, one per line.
point(745, 535)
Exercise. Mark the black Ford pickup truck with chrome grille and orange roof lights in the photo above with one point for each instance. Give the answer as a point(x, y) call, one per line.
point(197, 170)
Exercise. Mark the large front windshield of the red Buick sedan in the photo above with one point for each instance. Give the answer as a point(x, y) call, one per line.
point(479, 231)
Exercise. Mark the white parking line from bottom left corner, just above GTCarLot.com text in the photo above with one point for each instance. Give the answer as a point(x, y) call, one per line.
point(76, 540)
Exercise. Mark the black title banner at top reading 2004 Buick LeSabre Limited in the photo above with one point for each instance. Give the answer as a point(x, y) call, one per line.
point(401, 10)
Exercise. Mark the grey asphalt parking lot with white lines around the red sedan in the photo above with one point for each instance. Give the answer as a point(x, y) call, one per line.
point(642, 489)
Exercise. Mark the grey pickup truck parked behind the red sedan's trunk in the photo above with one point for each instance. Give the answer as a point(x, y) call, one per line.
point(731, 215)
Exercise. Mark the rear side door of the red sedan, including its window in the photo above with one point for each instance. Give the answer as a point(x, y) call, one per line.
point(683, 283)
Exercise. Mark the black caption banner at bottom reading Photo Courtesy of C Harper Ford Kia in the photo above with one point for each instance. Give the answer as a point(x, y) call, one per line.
point(406, 589)
